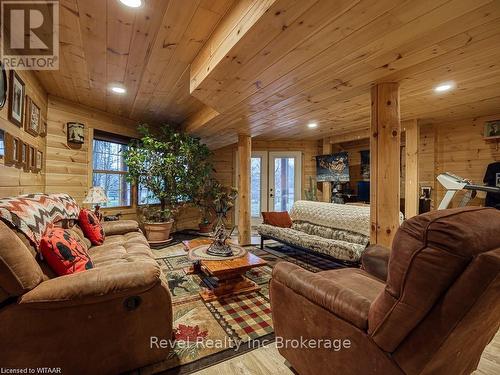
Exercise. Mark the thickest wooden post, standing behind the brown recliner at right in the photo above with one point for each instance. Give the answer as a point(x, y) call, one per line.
point(385, 143)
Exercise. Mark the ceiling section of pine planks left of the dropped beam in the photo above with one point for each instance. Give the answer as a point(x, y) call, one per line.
point(147, 50)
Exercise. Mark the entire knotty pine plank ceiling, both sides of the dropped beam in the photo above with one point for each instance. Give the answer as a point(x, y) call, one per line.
point(269, 67)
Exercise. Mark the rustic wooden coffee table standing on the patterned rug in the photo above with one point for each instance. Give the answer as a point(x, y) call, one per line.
point(229, 273)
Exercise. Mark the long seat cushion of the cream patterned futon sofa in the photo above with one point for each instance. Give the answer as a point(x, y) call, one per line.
point(335, 248)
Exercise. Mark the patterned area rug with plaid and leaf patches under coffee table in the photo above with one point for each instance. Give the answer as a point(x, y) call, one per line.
point(232, 325)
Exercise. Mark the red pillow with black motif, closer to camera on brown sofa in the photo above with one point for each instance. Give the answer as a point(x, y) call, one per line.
point(63, 253)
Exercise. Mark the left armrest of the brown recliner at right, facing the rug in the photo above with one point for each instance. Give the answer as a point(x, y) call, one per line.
point(339, 300)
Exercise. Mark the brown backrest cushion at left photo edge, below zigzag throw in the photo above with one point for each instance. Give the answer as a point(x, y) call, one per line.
point(19, 271)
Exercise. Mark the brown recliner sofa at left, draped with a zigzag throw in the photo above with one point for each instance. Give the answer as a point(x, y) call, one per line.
point(99, 321)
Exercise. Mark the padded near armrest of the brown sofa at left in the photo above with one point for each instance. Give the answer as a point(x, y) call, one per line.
point(96, 284)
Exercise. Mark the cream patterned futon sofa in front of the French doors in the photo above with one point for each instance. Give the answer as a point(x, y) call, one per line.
point(337, 230)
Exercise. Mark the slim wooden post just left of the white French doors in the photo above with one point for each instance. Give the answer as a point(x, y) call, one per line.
point(244, 218)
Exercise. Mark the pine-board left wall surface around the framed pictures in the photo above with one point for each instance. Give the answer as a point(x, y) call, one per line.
point(14, 181)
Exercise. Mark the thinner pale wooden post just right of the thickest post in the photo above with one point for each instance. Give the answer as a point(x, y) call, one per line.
point(412, 136)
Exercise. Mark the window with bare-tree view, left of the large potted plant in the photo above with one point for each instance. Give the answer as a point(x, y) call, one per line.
point(110, 171)
